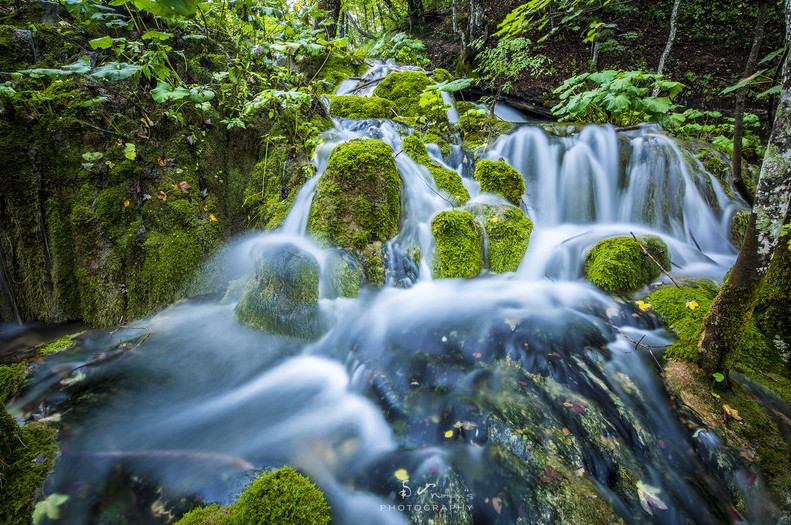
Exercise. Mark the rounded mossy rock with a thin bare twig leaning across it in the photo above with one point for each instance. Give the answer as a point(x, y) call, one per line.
point(619, 264)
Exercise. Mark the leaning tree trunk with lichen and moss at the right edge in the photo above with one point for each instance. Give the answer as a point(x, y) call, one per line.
point(733, 307)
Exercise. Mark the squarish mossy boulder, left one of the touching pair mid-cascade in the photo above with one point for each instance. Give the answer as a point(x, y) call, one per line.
point(459, 245)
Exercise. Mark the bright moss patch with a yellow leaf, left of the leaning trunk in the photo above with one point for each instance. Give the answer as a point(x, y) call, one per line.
point(682, 310)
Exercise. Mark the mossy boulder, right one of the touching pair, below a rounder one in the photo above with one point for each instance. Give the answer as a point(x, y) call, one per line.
point(508, 231)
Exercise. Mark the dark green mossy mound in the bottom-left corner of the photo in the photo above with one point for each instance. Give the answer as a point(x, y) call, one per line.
point(26, 457)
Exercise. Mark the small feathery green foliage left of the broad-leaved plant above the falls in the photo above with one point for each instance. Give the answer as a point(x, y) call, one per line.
point(505, 63)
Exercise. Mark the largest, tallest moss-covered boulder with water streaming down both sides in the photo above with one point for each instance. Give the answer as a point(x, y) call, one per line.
point(358, 202)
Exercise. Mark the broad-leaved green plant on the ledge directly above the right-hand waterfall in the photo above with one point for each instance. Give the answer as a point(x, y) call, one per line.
point(621, 98)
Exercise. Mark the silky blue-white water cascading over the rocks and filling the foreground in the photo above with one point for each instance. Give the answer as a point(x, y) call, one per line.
point(493, 395)
